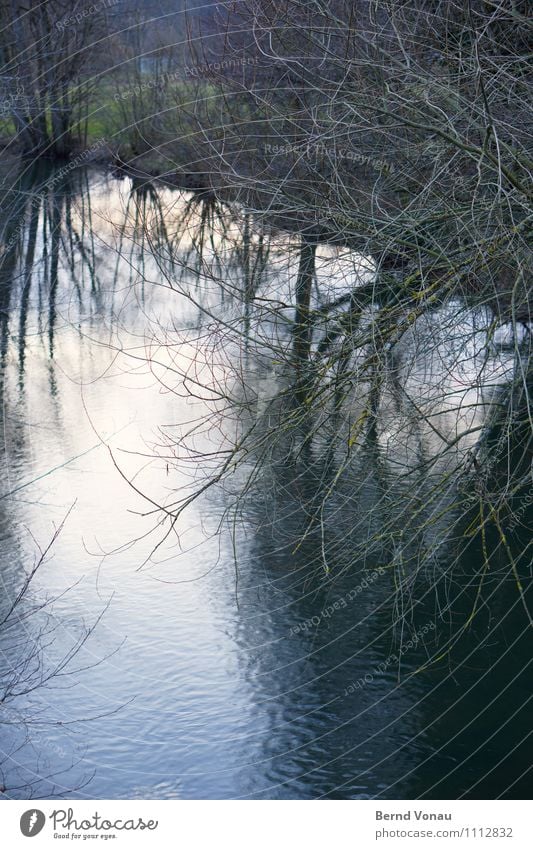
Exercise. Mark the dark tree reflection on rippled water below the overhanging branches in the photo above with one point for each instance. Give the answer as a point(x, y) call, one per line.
point(342, 715)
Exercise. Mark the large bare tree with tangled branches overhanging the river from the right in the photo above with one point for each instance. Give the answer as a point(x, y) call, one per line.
point(399, 132)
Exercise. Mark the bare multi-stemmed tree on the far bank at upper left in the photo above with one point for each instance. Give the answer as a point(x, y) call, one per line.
point(49, 53)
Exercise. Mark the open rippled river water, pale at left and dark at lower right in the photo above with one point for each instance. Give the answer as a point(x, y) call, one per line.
point(226, 665)
